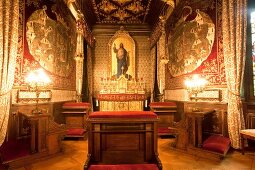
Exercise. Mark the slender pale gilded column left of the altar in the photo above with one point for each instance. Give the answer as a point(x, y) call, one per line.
point(79, 58)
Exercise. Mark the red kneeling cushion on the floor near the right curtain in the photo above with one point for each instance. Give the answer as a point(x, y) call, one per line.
point(217, 143)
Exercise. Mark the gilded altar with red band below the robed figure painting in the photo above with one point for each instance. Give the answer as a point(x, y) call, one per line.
point(122, 94)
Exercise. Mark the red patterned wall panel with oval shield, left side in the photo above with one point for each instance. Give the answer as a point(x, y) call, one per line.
point(47, 39)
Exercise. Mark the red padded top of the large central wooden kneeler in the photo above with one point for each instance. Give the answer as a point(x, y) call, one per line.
point(123, 114)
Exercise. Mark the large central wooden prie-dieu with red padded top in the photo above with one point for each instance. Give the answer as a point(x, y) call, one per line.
point(122, 137)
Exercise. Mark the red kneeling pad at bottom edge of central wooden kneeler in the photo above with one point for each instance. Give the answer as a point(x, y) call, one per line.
point(124, 167)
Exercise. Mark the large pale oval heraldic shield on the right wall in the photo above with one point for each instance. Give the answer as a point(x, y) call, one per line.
point(191, 42)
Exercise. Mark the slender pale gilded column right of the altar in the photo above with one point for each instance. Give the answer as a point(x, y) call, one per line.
point(163, 57)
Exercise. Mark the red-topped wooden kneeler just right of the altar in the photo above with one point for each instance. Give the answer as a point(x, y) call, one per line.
point(166, 112)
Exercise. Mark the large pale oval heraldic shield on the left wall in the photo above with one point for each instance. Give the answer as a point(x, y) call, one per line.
point(47, 43)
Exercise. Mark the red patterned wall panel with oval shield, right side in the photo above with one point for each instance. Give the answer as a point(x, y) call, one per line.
point(194, 40)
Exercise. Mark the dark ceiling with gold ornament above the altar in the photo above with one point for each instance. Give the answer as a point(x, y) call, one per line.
point(122, 11)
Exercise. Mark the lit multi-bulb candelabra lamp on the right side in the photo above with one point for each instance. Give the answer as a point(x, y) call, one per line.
point(195, 85)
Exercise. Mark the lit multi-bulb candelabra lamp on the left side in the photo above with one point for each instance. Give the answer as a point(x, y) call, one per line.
point(36, 80)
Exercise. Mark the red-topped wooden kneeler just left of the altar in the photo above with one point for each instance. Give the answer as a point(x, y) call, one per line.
point(75, 117)
